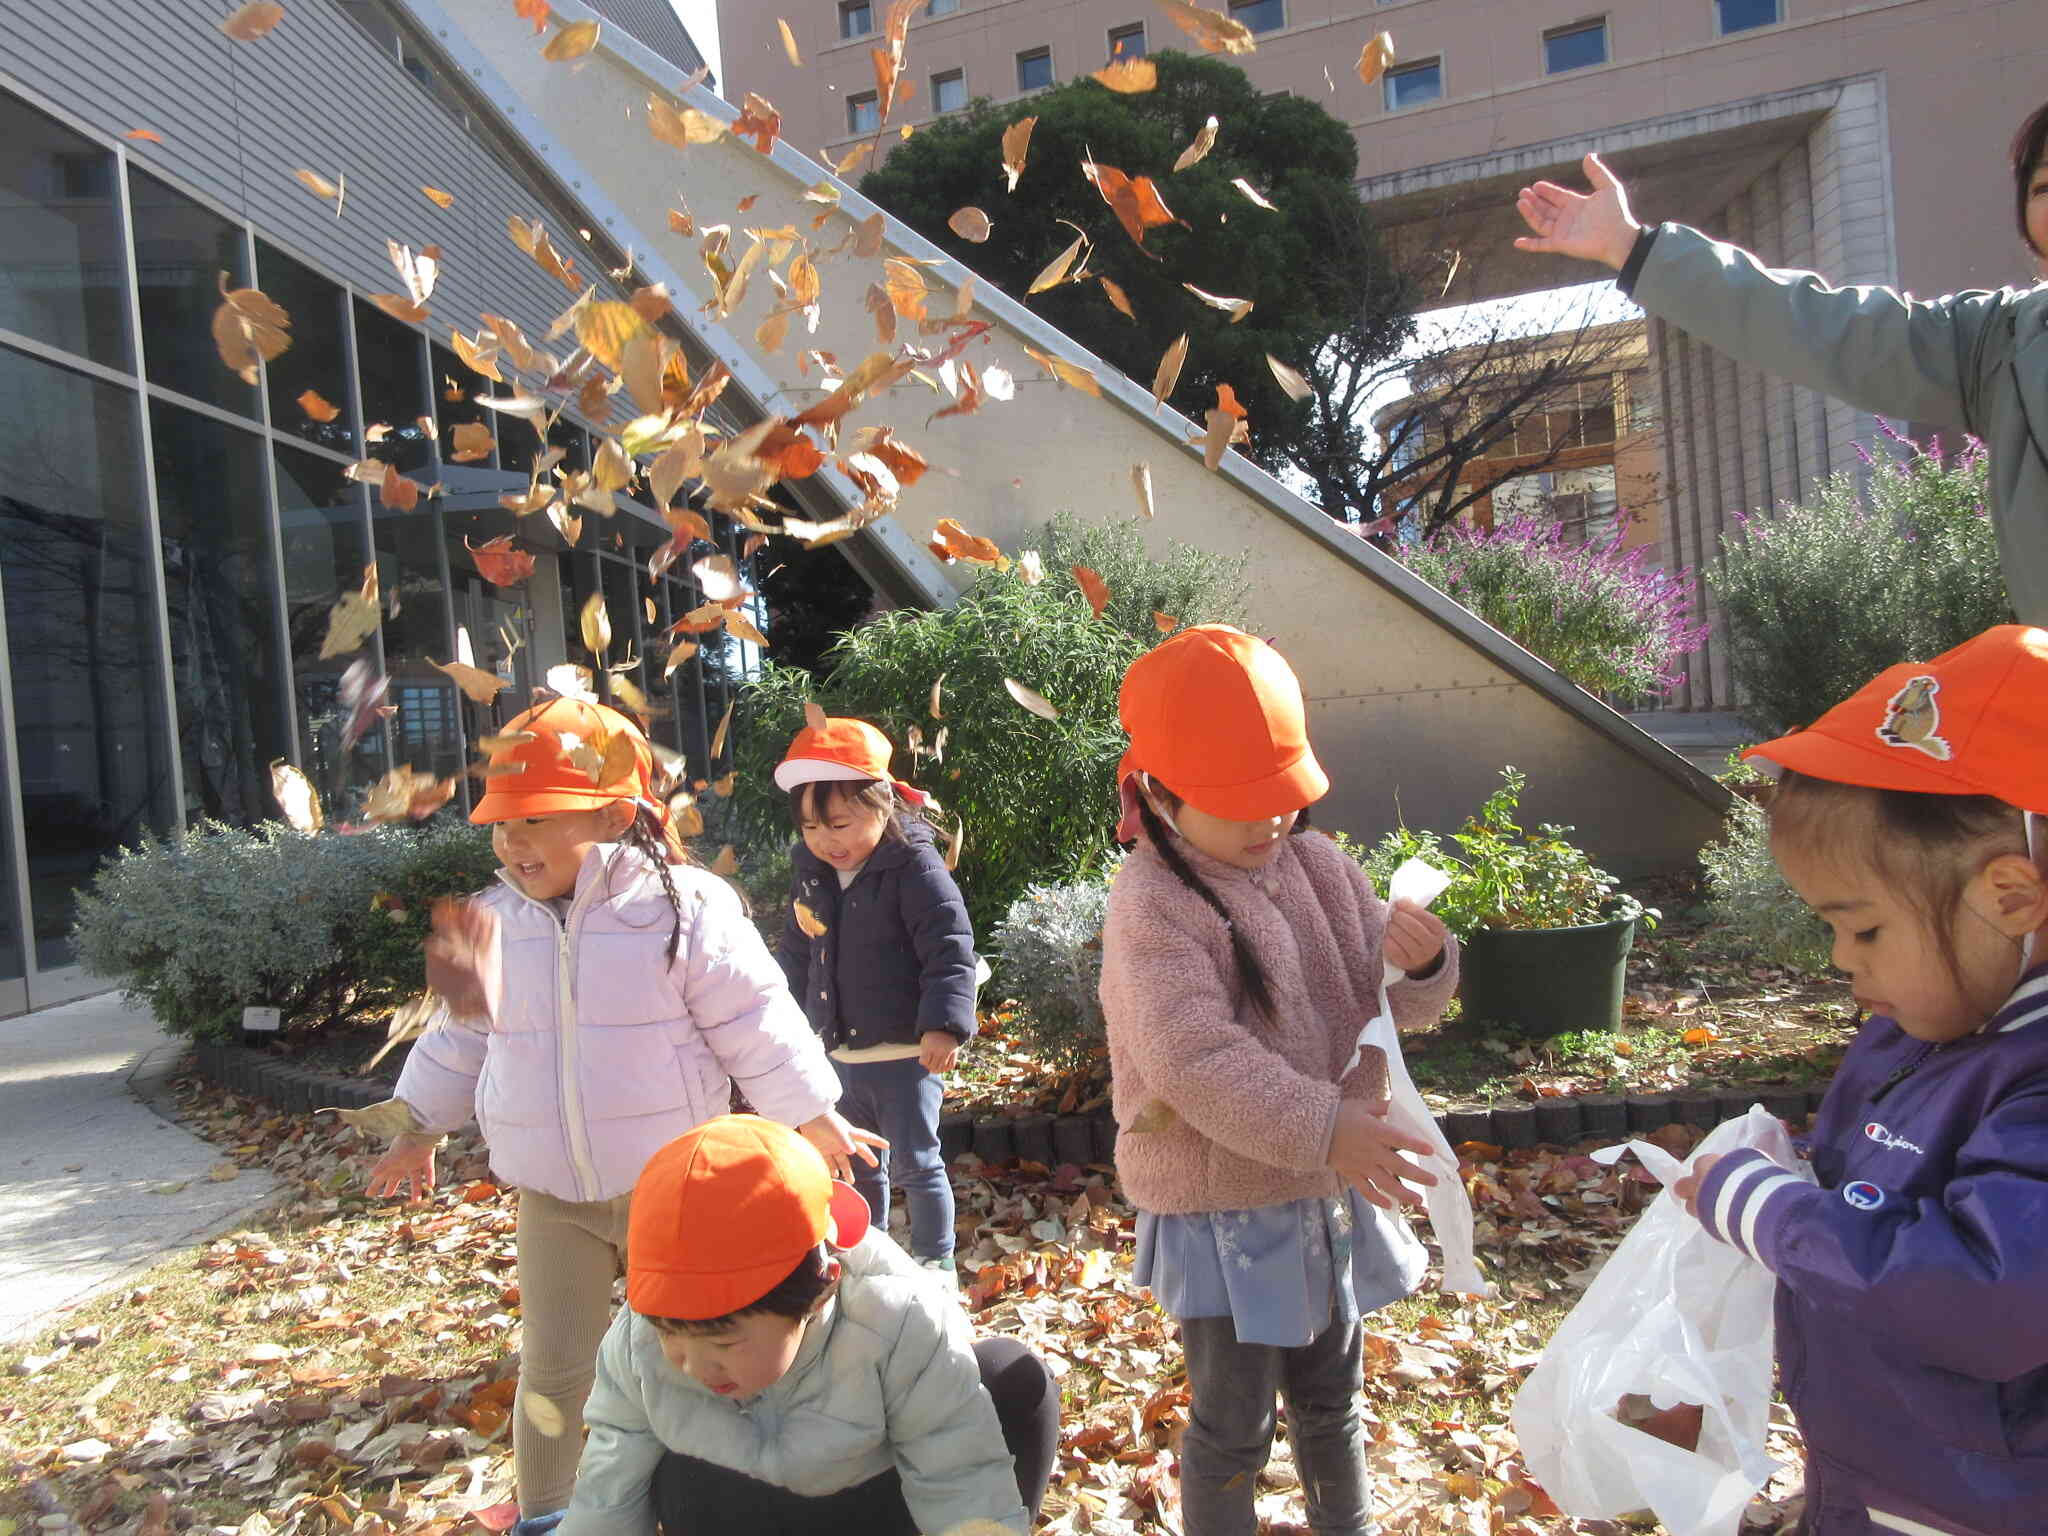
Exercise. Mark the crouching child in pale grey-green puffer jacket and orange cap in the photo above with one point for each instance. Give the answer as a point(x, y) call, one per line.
point(779, 1373)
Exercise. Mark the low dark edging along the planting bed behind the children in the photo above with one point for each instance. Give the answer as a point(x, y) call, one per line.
point(1058, 1140)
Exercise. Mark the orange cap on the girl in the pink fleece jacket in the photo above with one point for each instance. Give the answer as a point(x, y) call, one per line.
point(1218, 718)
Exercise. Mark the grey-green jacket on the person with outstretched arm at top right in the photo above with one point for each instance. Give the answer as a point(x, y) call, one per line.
point(1973, 361)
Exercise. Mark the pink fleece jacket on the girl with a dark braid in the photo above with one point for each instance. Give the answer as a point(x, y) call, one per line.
point(1254, 1103)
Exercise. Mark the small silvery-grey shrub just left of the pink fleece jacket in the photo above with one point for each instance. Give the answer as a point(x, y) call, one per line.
point(1050, 947)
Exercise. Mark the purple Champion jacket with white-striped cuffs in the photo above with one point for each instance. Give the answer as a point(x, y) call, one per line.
point(1914, 1279)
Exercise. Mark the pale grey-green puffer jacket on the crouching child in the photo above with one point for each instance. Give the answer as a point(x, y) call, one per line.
point(886, 1377)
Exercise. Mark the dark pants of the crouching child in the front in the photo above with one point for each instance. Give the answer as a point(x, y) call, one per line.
point(693, 1498)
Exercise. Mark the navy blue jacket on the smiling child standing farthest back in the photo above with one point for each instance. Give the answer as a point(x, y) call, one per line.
point(898, 953)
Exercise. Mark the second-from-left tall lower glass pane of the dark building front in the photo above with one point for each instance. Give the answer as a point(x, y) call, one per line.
point(220, 587)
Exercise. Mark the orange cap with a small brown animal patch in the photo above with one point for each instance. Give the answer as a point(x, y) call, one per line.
point(1971, 722)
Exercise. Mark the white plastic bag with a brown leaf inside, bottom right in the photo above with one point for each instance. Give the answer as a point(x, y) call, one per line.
point(1678, 1318)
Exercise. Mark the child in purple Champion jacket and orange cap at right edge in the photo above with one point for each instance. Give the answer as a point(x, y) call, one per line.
point(1912, 1332)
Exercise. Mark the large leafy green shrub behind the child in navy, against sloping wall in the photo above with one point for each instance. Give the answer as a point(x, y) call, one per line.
point(1037, 798)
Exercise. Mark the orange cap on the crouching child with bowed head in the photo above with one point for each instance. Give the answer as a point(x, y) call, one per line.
point(724, 1213)
